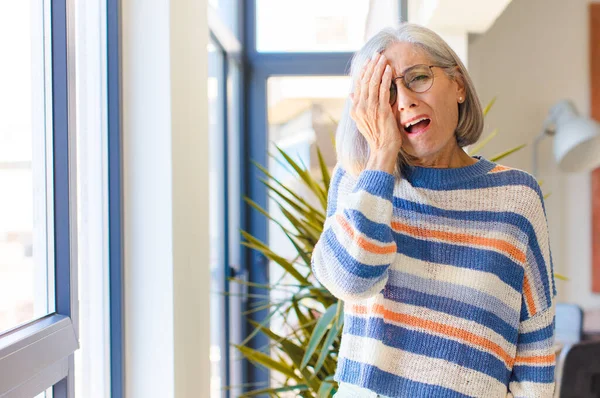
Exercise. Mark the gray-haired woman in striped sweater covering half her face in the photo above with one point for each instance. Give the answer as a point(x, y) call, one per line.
point(442, 259)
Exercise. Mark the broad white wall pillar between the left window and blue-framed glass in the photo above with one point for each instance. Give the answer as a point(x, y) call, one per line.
point(165, 161)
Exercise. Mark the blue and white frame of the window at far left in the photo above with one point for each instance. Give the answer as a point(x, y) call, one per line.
point(39, 354)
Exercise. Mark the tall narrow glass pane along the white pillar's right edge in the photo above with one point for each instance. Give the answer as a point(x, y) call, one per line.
point(216, 205)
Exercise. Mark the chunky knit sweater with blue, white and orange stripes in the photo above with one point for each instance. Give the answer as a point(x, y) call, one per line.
point(447, 281)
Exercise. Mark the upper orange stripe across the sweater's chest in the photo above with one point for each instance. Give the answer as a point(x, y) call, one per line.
point(499, 244)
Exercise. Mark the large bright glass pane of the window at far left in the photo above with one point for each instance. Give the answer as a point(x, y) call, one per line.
point(25, 140)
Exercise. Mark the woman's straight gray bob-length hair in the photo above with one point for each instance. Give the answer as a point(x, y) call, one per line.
point(352, 148)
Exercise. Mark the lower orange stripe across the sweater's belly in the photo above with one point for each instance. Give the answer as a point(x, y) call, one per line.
point(440, 328)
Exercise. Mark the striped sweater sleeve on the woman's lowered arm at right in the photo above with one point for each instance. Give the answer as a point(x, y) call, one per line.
point(533, 370)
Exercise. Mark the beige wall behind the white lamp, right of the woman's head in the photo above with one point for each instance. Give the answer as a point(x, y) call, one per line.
point(535, 54)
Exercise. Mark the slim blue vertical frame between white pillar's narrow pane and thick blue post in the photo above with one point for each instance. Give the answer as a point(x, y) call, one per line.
point(229, 45)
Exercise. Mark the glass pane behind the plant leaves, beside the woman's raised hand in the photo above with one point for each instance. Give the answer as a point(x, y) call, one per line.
point(302, 114)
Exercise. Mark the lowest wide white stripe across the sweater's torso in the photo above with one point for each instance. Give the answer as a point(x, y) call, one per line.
point(420, 368)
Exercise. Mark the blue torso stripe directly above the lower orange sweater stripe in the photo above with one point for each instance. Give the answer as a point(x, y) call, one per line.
point(453, 307)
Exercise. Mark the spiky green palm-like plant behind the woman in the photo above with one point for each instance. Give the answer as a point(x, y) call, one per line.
point(305, 355)
